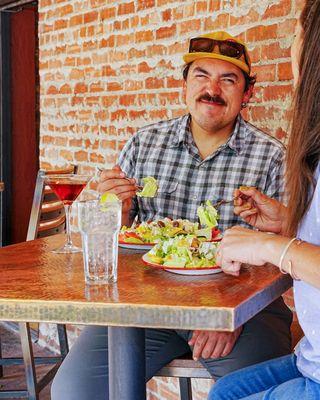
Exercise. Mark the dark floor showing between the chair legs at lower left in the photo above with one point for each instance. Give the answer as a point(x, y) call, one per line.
point(14, 377)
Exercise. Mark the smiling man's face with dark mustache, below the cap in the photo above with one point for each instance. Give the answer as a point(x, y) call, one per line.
point(214, 91)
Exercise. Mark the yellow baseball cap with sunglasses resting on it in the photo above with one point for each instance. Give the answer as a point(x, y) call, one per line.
point(236, 53)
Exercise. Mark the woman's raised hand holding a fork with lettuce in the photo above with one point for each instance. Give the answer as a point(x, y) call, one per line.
point(259, 210)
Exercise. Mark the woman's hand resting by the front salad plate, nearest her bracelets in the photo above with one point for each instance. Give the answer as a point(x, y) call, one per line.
point(240, 245)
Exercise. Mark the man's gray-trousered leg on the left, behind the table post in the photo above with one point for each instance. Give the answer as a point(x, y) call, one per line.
point(84, 373)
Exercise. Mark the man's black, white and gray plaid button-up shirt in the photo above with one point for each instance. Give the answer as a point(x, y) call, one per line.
point(166, 151)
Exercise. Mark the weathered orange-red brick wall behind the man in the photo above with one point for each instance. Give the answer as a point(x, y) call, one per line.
point(108, 67)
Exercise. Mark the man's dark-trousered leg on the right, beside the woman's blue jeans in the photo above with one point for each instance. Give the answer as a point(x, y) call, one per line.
point(265, 336)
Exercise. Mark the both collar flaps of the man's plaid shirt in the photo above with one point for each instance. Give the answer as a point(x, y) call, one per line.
point(182, 132)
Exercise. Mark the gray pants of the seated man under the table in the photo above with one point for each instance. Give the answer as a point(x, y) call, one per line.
point(84, 373)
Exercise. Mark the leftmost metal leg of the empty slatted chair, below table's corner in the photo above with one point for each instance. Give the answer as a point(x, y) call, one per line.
point(27, 352)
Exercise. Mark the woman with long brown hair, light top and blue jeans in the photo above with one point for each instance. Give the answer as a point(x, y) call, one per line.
point(296, 376)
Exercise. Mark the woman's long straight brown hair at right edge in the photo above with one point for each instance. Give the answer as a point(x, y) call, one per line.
point(303, 152)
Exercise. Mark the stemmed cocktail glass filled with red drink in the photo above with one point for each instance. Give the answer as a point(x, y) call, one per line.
point(67, 187)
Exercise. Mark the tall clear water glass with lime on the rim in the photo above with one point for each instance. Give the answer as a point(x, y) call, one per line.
point(99, 226)
